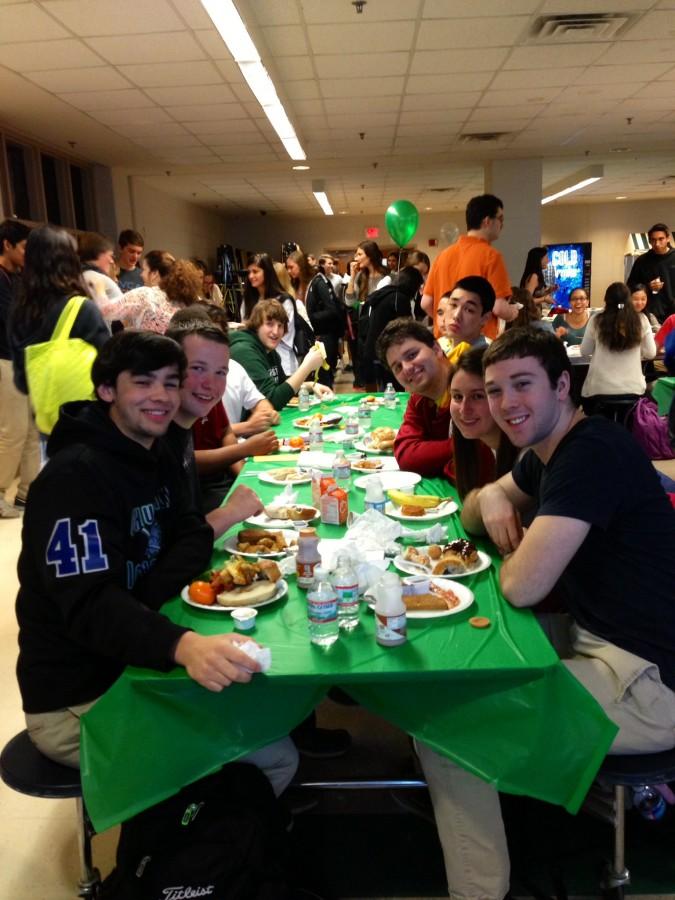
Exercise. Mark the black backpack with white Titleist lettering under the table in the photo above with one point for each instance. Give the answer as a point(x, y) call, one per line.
point(221, 837)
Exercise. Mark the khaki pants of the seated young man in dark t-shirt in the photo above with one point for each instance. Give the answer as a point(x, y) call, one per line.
point(467, 810)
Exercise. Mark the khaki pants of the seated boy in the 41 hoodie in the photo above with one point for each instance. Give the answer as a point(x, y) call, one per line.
point(57, 735)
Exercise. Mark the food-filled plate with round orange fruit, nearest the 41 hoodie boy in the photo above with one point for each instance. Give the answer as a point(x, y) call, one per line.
point(239, 583)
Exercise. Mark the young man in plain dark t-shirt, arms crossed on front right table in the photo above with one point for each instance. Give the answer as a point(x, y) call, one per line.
point(606, 530)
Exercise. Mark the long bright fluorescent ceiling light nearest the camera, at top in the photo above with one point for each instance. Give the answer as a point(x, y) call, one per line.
point(233, 31)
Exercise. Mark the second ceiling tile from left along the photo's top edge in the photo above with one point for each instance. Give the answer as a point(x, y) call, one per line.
point(89, 17)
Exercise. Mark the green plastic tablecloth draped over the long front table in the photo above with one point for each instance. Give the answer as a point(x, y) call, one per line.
point(497, 701)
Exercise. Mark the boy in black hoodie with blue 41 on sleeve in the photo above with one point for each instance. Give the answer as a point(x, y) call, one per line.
point(110, 534)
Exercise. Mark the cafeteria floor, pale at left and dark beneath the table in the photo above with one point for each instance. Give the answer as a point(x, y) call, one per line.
point(37, 837)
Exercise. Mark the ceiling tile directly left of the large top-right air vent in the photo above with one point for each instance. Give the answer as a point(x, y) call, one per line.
point(498, 31)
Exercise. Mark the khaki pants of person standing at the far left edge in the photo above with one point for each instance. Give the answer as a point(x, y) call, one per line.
point(19, 441)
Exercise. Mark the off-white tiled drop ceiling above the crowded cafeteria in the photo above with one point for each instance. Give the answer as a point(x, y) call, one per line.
point(380, 101)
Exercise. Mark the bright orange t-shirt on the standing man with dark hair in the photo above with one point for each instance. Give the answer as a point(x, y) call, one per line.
point(468, 256)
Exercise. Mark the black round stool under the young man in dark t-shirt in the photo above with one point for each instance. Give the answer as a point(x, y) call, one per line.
point(621, 772)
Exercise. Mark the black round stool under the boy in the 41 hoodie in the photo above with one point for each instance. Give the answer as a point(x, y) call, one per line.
point(23, 768)
